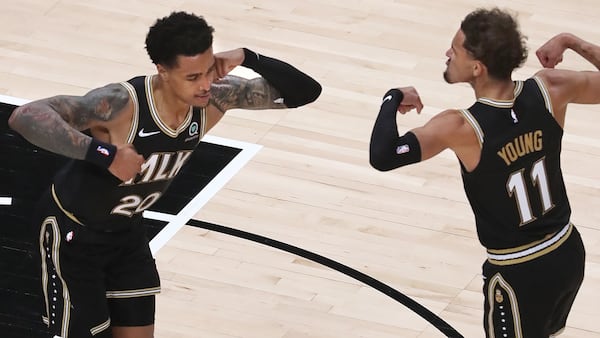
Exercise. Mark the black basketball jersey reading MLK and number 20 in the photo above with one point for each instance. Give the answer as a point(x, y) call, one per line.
point(98, 199)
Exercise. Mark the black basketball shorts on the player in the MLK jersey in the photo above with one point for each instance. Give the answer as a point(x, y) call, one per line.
point(94, 280)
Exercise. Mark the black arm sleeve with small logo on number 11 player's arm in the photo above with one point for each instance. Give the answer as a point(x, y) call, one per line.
point(388, 150)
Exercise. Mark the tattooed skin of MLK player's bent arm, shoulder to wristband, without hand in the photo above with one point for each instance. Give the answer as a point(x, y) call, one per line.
point(55, 123)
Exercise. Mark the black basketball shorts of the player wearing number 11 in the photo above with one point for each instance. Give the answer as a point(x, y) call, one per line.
point(532, 295)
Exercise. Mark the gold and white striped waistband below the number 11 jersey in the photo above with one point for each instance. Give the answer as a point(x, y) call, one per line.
point(530, 251)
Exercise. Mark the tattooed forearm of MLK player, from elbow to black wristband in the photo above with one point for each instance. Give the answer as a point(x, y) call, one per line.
point(42, 126)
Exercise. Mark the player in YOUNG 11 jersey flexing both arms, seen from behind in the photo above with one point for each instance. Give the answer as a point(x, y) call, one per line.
point(508, 145)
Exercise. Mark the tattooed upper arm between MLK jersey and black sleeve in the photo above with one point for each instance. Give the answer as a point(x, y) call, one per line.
point(236, 92)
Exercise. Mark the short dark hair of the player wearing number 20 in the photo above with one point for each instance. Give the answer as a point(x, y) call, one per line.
point(180, 33)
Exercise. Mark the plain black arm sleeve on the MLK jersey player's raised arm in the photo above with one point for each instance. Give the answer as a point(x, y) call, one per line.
point(295, 87)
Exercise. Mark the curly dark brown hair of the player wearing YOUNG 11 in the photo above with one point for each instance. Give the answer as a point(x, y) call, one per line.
point(492, 36)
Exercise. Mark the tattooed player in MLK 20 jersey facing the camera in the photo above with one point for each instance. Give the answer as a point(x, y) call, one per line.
point(127, 141)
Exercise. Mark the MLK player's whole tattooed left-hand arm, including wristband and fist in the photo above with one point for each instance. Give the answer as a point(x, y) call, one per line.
point(55, 124)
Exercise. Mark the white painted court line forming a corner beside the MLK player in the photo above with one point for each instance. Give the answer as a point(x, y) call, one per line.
point(176, 222)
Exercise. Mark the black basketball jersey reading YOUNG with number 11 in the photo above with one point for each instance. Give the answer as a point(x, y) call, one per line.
point(517, 191)
